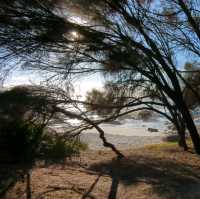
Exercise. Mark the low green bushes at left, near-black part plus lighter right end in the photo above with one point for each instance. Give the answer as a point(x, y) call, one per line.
point(25, 142)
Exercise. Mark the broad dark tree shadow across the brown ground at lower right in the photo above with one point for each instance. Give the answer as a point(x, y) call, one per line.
point(169, 179)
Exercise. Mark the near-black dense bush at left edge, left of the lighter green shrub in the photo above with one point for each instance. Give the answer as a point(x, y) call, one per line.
point(21, 139)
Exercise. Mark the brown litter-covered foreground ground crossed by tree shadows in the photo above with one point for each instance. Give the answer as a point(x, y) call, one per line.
point(154, 172)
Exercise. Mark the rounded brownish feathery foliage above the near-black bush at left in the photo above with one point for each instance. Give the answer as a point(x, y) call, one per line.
point(26, 103)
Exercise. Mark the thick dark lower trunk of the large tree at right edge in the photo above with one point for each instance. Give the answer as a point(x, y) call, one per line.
point(191, 127)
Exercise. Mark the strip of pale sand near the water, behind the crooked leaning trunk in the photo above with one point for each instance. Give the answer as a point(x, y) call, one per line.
point(123, 137)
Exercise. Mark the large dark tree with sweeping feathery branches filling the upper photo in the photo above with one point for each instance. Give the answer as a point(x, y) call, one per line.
point(136, 43)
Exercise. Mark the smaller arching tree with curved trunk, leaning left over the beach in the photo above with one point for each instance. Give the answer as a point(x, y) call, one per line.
point(117, 98)
